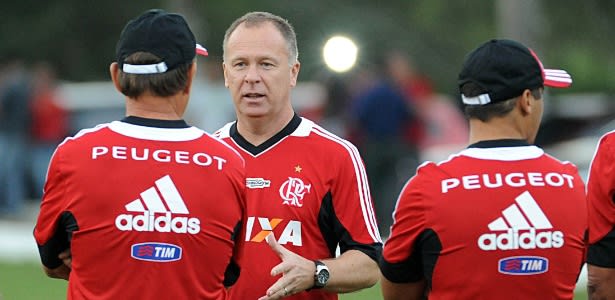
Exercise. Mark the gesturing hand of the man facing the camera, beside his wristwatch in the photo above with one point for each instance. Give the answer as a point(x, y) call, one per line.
point(297, 272)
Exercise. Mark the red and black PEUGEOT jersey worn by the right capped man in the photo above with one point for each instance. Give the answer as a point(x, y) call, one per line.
point(499, 220)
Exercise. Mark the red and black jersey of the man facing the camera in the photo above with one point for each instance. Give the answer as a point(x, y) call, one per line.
point(309, 188)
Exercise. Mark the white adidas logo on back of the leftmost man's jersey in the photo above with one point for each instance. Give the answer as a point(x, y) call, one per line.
point(154, 214)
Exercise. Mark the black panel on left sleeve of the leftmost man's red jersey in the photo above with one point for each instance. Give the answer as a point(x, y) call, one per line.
point(60, 241)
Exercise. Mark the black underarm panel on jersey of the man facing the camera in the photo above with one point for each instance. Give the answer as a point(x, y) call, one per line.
point(334, 232)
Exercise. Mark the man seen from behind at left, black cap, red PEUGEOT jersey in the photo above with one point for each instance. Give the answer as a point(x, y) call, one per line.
point(148, 206)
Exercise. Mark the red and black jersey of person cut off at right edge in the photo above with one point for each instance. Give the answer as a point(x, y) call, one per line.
point(601, 204)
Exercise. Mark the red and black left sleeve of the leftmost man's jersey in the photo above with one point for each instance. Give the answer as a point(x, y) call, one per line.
point(48, 236)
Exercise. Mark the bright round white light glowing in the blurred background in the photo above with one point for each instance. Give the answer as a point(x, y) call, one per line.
point(340, 53)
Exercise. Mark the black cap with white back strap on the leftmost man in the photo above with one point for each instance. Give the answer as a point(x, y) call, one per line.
point(163, 34)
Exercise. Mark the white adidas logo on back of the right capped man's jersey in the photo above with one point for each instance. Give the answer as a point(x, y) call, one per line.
point(523, 224)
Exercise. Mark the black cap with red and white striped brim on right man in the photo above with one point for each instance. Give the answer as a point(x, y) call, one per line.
point(504, 69)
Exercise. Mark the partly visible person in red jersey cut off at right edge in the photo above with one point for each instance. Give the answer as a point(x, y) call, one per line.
point(601, 206)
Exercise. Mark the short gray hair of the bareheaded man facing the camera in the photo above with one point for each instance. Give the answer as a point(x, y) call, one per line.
point(257, 18)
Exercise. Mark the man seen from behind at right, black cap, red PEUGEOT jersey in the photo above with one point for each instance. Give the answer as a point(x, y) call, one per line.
point(501, 219)
